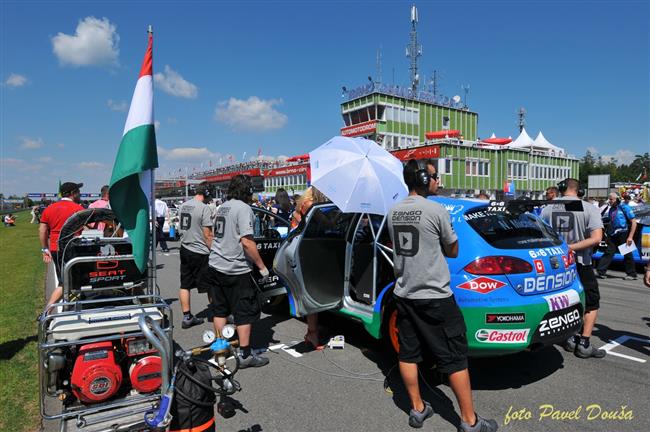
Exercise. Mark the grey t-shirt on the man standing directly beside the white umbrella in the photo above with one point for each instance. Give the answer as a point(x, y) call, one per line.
point(418, 228)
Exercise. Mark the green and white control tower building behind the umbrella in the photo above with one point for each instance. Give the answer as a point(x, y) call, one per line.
point(399, 121)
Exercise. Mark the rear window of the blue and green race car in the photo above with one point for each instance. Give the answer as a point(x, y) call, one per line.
point(511, 231)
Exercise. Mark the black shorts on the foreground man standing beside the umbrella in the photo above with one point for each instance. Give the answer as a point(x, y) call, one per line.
point(436, 324)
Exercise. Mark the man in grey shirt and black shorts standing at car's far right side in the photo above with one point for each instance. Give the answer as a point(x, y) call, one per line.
point(582, 231)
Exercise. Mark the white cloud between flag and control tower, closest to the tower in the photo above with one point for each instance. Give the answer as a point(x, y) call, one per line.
point(250, 114)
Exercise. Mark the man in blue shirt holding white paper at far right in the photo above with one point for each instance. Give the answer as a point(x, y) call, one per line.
point(621, 225)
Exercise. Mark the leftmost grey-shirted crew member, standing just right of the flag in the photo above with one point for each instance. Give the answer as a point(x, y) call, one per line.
point(196, 239)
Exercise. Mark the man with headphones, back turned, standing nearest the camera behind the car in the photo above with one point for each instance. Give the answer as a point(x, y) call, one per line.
point(427, 314)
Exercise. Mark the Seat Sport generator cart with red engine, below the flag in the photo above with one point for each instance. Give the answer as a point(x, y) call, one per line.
point(105, 350)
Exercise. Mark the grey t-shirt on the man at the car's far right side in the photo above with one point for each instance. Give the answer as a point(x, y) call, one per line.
point(574, 226)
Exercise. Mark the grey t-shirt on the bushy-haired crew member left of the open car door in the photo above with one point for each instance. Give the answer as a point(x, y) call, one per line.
point(234, 220)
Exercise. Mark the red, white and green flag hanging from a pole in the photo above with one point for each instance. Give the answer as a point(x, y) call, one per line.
point(130, 186)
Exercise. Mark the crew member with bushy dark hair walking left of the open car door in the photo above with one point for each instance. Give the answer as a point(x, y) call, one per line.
point(228, 276)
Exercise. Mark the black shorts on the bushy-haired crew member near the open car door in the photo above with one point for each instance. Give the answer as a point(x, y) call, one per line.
point(232, 295)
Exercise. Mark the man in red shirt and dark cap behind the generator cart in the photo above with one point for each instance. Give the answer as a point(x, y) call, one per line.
point(52, 221)
